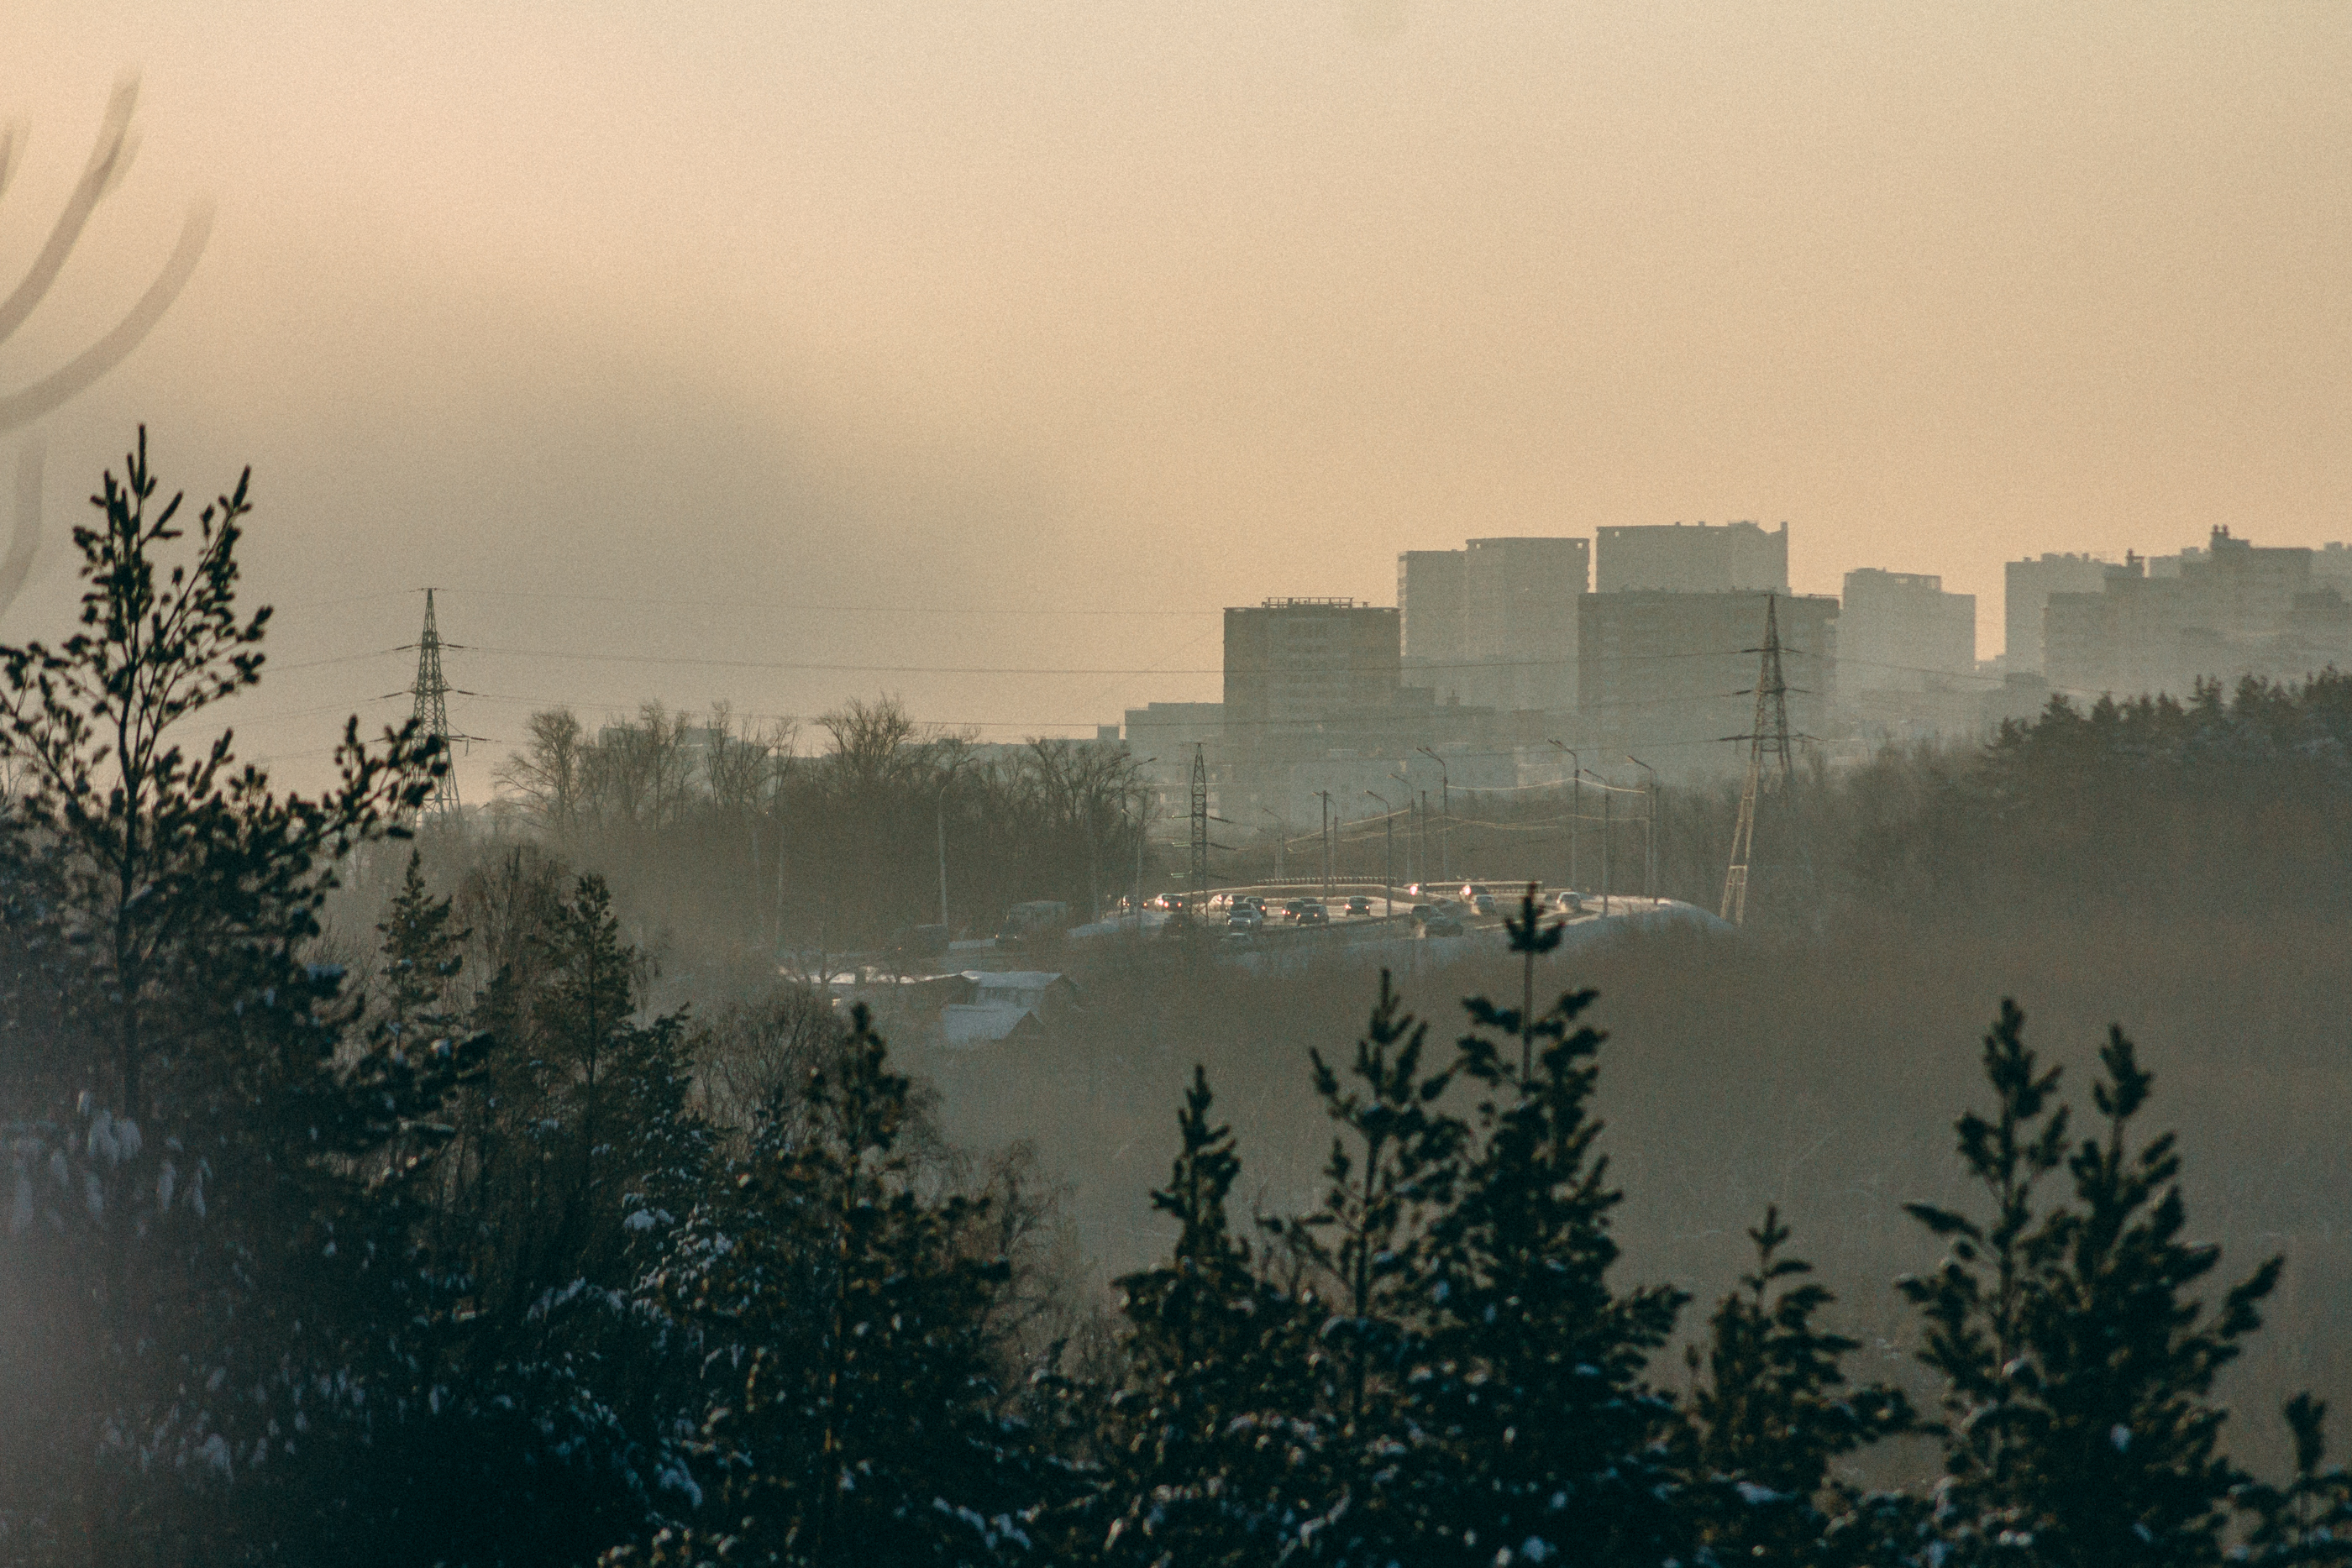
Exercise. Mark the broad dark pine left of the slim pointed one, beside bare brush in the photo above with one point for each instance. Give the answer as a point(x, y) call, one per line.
point(848, 1315)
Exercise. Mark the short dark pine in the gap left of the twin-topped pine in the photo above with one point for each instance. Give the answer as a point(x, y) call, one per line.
point(1772, 1416)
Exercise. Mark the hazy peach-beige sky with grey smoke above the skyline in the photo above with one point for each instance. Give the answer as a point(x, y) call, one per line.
point(695, 333)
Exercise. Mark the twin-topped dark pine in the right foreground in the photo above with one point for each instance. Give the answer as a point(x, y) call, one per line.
point(2078, 1369)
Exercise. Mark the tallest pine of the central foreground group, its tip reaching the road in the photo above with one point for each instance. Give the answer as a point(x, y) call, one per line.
point(1539, 1438)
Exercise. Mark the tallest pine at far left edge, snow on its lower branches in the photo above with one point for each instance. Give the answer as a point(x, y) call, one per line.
point(232, 1292)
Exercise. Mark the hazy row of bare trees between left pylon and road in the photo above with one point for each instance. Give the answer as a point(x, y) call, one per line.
point(735, 838)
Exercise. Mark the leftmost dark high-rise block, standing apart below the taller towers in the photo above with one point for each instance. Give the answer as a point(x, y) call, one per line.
point(1302, 662)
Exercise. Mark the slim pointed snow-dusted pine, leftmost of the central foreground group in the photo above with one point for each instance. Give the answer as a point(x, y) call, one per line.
point(1203, 1440)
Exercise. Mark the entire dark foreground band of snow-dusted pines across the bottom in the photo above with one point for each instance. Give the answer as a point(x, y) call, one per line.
point(479, 1261)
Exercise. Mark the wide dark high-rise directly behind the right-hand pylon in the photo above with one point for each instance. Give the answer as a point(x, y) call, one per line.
point(1671, 676)
